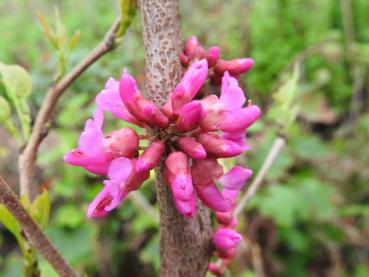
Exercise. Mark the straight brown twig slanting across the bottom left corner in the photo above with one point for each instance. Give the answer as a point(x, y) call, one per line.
point(33, 232)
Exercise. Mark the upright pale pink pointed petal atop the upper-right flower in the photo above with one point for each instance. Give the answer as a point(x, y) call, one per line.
point(232, 96)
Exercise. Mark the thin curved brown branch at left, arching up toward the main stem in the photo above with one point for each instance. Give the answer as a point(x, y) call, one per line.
point(28, 157)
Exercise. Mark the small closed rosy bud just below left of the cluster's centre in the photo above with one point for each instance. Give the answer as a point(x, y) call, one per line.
point(151, 156)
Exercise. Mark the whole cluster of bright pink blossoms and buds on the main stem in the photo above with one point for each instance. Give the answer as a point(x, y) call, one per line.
point(191, 133)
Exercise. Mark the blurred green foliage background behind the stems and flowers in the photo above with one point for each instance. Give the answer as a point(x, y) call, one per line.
point(311, 217)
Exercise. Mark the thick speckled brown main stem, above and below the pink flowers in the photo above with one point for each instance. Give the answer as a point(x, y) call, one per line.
point(185, 246)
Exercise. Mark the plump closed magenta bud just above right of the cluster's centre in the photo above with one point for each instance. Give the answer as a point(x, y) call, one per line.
point(190, 116)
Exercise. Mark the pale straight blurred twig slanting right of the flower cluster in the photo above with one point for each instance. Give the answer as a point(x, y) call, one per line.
point(277, 146)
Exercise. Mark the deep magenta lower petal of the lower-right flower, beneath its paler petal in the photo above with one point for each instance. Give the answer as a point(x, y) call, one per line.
point(211, 197)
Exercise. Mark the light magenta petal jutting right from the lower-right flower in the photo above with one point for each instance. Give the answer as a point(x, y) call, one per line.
point(235, 178)
